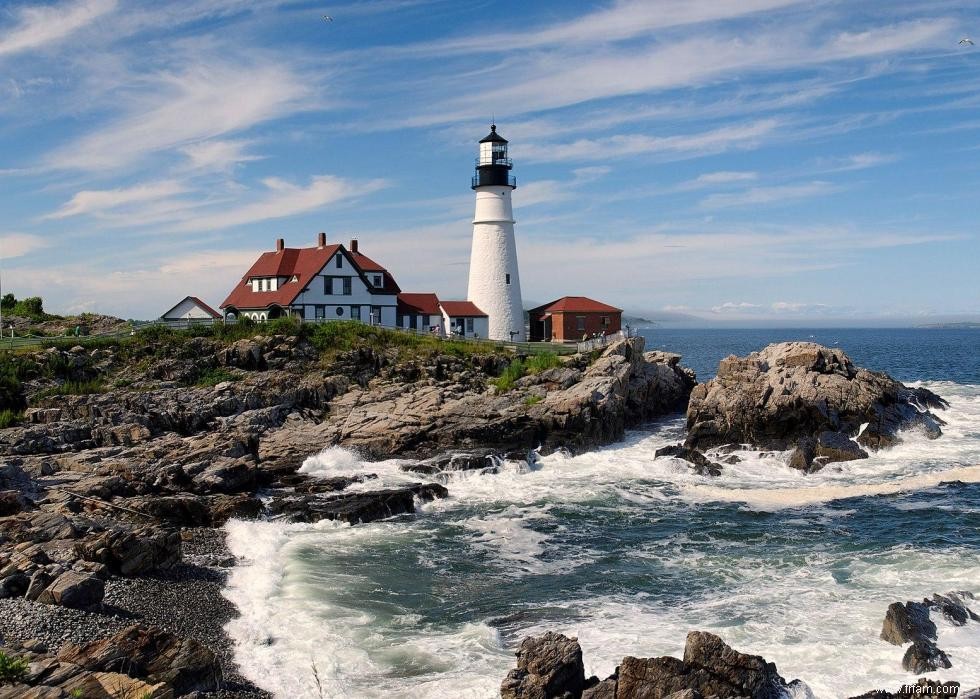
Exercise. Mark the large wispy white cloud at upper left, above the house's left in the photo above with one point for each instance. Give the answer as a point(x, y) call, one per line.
point(208, 100)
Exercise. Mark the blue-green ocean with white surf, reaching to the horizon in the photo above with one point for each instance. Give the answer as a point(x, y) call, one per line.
point(629, 553)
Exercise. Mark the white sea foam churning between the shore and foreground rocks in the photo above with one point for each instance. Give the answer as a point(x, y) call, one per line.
point(308, 594)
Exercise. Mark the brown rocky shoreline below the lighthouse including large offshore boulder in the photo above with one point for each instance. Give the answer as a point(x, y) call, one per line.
point(112, 499)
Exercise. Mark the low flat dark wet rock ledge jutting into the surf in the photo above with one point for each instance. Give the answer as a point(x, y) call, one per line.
point(356, 507)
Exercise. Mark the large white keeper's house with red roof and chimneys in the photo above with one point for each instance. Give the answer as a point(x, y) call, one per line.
point(326, 282)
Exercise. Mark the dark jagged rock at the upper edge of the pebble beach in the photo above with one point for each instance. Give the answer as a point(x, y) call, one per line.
point(133, 552)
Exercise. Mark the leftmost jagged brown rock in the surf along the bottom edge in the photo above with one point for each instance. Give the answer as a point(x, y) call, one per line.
point(547, 666)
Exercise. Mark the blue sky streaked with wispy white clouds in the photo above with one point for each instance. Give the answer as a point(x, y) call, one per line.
point(748, 162)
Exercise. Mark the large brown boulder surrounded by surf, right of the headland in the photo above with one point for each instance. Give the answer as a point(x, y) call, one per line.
point(795, 391)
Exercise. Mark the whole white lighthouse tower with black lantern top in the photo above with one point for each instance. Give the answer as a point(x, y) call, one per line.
point(495, 282)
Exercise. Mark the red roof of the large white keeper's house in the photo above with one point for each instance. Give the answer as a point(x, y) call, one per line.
point(305, 264)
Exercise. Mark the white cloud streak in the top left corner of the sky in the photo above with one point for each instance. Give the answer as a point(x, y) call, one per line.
point(46, 24)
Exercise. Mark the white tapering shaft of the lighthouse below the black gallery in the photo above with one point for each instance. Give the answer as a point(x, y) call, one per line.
point(495, 282)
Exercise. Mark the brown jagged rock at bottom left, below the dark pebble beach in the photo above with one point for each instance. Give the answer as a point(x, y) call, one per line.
point(153, 655)
